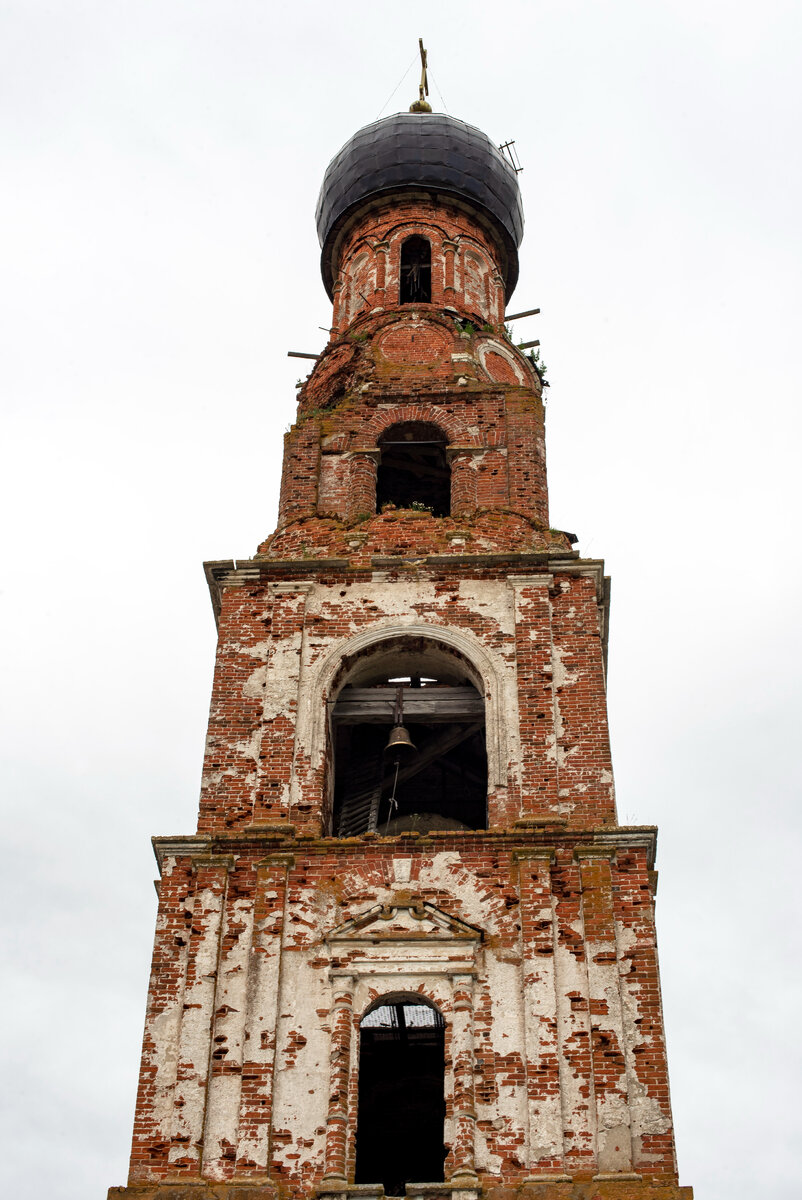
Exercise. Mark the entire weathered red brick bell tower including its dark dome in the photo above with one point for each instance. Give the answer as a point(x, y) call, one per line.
point(422, 969)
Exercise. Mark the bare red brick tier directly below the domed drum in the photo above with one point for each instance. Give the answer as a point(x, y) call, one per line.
point(494, 428)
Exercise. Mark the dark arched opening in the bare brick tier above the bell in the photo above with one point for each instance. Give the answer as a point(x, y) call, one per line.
point(414, 471)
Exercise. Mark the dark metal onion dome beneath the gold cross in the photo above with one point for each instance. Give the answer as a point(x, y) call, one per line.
point(422, 151)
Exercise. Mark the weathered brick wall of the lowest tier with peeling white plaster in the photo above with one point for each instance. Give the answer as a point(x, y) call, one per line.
point(560, 921)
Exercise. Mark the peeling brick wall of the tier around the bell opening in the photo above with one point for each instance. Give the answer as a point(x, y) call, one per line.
point(542, 629)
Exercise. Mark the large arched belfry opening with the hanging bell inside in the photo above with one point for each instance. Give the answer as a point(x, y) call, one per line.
point(432, 777)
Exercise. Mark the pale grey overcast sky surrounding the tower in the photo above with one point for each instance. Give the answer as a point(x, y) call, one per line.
point(163, 160)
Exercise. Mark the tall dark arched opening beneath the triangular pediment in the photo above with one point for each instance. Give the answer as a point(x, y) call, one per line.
point(402, 1095)
